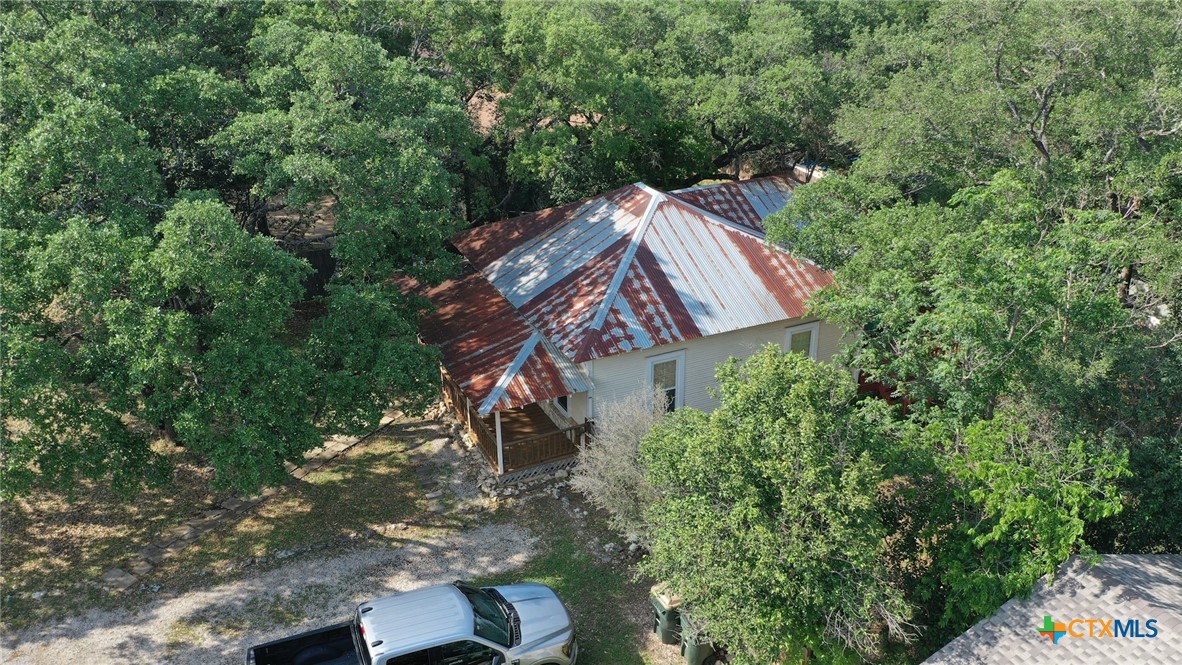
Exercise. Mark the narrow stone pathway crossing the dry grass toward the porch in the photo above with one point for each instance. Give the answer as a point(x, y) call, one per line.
point(176, 540)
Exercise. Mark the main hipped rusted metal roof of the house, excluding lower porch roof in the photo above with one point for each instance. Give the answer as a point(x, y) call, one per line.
point(637, 268)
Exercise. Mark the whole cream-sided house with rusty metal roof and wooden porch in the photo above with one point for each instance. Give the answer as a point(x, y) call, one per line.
point(563, 310)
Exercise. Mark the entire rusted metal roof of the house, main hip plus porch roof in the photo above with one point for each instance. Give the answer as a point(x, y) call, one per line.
point(629, 270)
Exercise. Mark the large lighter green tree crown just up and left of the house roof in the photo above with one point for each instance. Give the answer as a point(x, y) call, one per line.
point(343, 120)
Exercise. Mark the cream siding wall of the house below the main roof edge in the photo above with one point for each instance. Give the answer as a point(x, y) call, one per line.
point(620, 376)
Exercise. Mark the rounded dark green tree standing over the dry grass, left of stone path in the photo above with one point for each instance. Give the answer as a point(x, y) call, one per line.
point(211, 360)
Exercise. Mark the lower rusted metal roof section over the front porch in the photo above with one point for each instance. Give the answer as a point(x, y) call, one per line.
point(491, 351)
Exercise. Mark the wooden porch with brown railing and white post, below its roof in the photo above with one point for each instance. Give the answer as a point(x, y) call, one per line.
point(512, 440)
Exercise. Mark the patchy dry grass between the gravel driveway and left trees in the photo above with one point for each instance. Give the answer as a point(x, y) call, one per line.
point(57, 549)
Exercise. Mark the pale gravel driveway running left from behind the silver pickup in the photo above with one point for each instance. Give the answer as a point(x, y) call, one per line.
point(216, 625)
